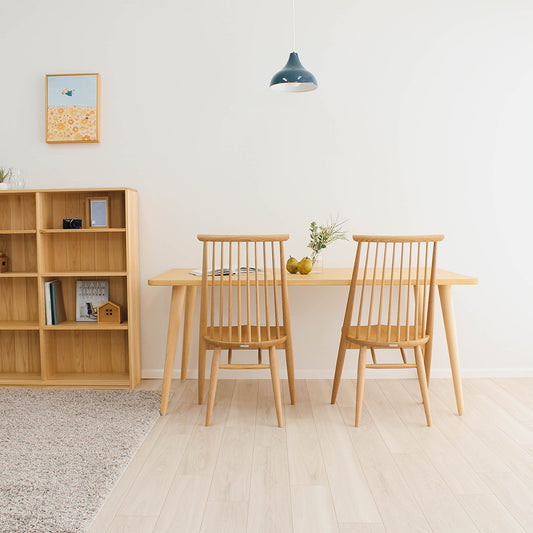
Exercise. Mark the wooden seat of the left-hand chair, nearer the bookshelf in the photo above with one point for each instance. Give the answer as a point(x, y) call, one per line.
point(217, 337)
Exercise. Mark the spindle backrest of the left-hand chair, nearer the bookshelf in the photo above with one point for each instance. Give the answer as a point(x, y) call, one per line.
point(253, 292)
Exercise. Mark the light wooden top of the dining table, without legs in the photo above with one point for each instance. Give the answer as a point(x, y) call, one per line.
point(330, 277)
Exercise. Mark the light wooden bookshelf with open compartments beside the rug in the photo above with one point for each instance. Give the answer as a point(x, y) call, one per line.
point(70, 354)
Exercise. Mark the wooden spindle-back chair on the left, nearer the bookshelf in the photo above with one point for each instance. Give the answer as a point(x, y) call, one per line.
point(247, 310)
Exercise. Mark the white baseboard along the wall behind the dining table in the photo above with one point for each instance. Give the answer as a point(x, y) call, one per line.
point(350, 373)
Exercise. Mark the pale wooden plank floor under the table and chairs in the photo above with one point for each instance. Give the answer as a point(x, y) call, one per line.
point(320, 473)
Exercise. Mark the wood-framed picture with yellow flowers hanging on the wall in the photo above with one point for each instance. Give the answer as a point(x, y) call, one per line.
point(73, 108)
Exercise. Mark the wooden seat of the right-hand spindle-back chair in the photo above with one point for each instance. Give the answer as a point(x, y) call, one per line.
point(376, 337)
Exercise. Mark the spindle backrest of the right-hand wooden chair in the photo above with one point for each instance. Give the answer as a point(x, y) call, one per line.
point(385, 298)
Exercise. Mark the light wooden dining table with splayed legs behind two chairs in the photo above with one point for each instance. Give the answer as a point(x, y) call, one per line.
point(185, 285)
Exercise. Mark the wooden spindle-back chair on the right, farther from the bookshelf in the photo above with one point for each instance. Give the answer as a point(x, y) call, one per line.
point(389, 314)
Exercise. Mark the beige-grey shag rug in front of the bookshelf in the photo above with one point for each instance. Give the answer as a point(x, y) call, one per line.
point(62, 451)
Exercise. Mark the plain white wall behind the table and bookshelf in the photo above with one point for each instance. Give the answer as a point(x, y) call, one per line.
point(423, 122)
